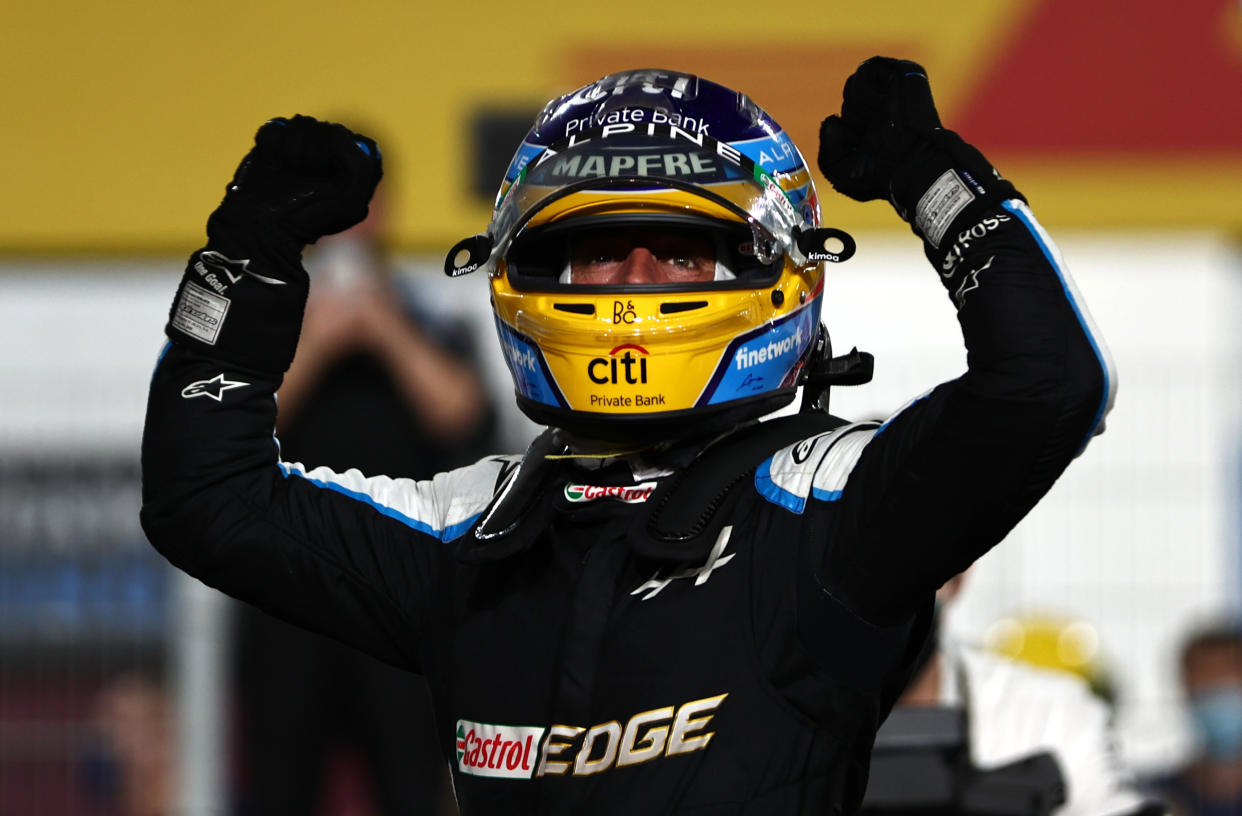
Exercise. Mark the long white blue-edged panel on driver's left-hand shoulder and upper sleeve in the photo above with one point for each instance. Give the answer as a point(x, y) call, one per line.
point(444, 506)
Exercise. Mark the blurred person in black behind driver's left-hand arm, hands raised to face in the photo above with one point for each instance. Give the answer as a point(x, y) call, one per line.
point(386, 384)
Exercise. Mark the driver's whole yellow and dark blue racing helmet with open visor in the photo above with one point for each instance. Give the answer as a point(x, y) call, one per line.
point(655, 152)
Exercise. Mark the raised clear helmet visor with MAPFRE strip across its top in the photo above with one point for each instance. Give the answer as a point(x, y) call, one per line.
point(641, 173)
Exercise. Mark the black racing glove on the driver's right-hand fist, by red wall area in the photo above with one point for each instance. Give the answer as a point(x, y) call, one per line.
point(887, 143)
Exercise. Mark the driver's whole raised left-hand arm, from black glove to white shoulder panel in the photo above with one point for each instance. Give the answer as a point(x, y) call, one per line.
point(341, 555)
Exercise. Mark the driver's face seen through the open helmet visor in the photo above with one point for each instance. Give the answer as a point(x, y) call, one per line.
point(641, 255)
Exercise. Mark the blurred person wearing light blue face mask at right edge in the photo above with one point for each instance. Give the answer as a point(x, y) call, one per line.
point(1212, 676)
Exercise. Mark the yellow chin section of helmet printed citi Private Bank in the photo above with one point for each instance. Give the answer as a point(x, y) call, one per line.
point(637, 353)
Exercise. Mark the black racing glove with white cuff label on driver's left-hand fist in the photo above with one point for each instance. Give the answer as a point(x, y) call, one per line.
point(243, 295)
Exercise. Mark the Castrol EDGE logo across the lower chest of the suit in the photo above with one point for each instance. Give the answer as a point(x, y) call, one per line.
point(510, 752)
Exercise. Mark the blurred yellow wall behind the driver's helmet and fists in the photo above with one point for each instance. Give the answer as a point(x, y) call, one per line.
point(124, 121)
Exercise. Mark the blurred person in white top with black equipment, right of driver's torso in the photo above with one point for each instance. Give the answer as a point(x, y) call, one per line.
point(1013, 710)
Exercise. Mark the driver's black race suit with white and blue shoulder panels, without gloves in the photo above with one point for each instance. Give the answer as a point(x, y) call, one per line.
point(598, 641)
